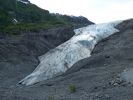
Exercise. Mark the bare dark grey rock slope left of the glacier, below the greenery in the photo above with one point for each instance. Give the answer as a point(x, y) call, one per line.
point(19, 54)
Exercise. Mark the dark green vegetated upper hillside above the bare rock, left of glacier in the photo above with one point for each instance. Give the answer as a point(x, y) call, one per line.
point(30, 18)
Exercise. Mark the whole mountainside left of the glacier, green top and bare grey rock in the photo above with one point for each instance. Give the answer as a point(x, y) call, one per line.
point(26, 32)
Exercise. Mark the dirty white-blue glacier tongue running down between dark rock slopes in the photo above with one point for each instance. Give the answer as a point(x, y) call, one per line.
point(60, 59)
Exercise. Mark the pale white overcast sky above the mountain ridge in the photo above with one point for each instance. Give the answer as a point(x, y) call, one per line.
point(98, 11)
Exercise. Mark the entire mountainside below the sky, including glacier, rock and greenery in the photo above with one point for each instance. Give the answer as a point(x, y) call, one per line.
point(91, 71)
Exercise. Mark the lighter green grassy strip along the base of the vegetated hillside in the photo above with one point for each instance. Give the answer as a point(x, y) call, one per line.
point(16, 29)
